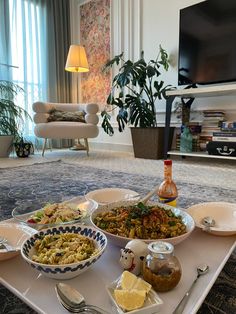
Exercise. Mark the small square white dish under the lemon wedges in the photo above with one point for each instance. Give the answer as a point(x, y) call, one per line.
point(152, 303)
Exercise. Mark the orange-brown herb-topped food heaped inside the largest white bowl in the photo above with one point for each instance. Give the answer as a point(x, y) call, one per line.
point(141, 222)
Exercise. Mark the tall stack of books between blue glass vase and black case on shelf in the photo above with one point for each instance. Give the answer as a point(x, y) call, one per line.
point(211, 123)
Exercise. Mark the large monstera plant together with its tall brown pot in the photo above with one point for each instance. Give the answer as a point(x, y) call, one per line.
point(135, 91)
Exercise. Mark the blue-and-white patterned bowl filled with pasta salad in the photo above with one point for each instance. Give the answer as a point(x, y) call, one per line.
point(64, 252)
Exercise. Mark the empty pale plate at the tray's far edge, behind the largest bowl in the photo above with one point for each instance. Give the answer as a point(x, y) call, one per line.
point(110, 195)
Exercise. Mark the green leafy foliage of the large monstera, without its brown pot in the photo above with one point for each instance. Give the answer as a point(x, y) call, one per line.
point(135, 91)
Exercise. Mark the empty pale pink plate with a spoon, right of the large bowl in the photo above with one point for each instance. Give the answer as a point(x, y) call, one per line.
point(223, 213)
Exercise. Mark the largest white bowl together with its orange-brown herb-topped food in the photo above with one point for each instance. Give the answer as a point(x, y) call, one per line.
point(127, 220)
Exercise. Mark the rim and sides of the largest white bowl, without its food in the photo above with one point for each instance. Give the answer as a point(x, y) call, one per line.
point(122, 241)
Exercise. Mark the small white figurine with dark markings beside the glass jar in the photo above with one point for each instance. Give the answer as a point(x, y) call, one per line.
point(132, 256)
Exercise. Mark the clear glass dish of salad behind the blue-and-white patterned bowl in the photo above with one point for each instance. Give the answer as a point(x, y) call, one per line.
point(53, 214)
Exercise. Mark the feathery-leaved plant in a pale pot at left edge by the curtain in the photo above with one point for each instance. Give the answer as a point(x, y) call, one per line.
point(11, 116)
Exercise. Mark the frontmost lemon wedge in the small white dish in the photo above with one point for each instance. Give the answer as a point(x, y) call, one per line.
point(130, 299)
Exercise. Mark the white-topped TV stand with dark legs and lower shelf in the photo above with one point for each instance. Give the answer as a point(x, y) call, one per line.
point(212, 91)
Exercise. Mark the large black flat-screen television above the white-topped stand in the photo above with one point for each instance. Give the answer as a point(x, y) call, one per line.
point(207, 43)
